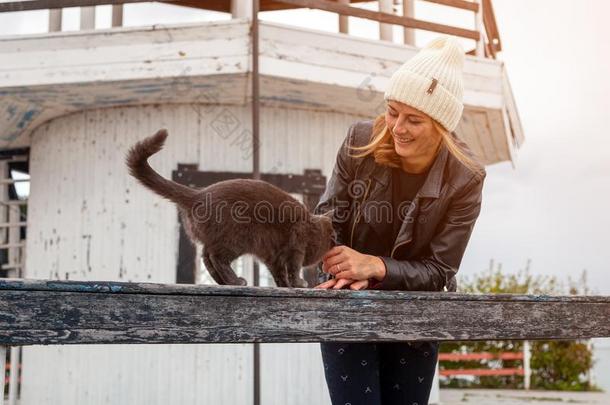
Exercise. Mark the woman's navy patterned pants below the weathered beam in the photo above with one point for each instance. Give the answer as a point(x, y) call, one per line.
point(379, 373)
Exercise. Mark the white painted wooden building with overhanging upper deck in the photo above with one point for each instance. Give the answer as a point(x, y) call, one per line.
point(78, 100)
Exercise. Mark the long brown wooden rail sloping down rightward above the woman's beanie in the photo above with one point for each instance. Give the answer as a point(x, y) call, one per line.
point(383, 17)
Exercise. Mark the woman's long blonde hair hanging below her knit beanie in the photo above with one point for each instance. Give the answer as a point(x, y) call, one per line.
point(381, 146)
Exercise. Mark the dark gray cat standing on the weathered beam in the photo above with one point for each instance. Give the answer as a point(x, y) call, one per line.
point(235, 217)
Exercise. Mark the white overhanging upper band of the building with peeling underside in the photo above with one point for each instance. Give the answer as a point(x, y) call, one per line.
point(46, 76)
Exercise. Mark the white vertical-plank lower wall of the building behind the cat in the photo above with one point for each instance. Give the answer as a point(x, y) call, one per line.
point(89, 220)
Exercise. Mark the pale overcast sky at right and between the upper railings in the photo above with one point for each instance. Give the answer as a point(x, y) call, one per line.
point(552, 207)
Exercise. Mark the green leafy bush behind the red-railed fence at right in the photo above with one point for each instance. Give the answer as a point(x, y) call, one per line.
point(555, 365)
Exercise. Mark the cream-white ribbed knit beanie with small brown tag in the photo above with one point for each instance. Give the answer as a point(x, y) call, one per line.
point(431, 81)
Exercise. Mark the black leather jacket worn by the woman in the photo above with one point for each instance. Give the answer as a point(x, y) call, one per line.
point(434, 233)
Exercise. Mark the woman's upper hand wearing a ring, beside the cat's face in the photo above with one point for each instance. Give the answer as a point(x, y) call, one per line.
point(346, 263)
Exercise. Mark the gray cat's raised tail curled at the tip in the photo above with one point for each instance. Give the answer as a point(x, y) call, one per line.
point(137, 162)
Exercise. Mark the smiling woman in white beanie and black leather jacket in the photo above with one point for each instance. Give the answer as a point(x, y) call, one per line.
point(406, 194)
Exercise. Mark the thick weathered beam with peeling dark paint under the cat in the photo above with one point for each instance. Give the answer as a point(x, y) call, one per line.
point(34, 312)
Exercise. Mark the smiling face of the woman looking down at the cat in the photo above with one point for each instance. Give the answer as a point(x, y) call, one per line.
point(416, 140)
